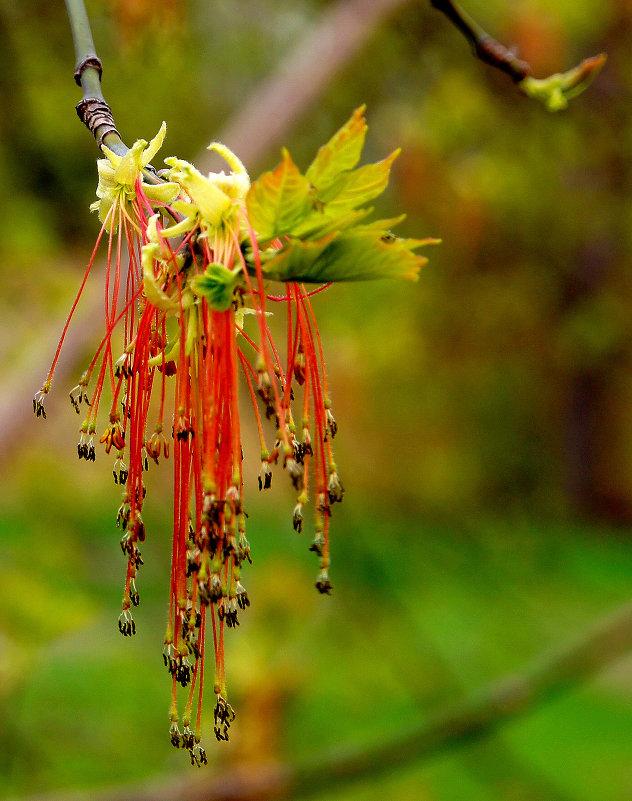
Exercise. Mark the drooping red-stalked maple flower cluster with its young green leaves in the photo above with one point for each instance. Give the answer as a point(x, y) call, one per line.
point(189, 261)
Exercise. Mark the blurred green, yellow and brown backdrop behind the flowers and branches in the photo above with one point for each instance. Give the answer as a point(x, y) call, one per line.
point(485, 429)
